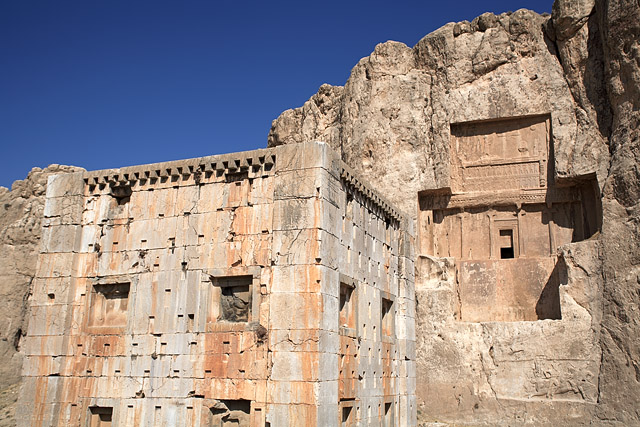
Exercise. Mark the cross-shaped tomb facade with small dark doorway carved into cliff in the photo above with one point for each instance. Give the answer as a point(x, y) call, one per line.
point(503, 219)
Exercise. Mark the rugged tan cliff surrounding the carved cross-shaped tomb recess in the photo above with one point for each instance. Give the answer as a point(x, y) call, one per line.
point(394, 120)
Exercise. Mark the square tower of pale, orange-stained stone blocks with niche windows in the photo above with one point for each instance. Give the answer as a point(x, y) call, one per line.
point(265, 288)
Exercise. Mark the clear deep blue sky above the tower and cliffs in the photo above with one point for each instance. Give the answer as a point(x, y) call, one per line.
point(103, 84)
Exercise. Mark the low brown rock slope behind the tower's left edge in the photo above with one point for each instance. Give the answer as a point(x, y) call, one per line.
point(21, 212)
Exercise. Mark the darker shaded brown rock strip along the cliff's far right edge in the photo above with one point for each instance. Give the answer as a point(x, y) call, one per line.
point(620, 380)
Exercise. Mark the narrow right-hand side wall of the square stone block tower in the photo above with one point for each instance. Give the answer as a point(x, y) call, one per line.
point(377, 305)
